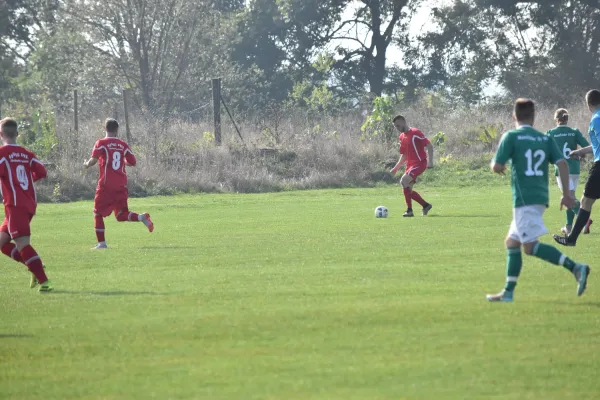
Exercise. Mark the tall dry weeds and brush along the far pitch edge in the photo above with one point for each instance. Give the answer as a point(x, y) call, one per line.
point(284, 150)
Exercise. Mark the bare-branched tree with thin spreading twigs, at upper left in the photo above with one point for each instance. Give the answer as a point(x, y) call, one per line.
point(158, 47)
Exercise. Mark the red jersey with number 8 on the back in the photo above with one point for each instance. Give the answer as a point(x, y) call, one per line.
point(112, 154)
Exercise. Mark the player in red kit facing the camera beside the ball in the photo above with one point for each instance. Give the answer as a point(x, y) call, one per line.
point(417, 152)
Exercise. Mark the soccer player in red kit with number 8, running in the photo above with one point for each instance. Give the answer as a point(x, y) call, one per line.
point(113, 155)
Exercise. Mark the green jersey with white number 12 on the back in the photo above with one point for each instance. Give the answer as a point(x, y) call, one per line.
point(529, 151)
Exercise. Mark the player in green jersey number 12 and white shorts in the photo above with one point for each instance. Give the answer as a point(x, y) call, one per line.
point(530, 152)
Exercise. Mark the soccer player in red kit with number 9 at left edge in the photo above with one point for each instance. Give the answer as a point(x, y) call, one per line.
point(19, 168)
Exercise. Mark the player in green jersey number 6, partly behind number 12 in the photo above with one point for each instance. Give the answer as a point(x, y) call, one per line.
point(568, 139)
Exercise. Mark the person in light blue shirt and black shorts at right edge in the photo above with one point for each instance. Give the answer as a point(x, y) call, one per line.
point(592, 187)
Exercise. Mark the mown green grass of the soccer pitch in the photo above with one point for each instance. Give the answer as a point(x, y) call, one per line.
point(297, 295)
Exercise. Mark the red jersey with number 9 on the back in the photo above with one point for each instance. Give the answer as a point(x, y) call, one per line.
point(19, 168)
